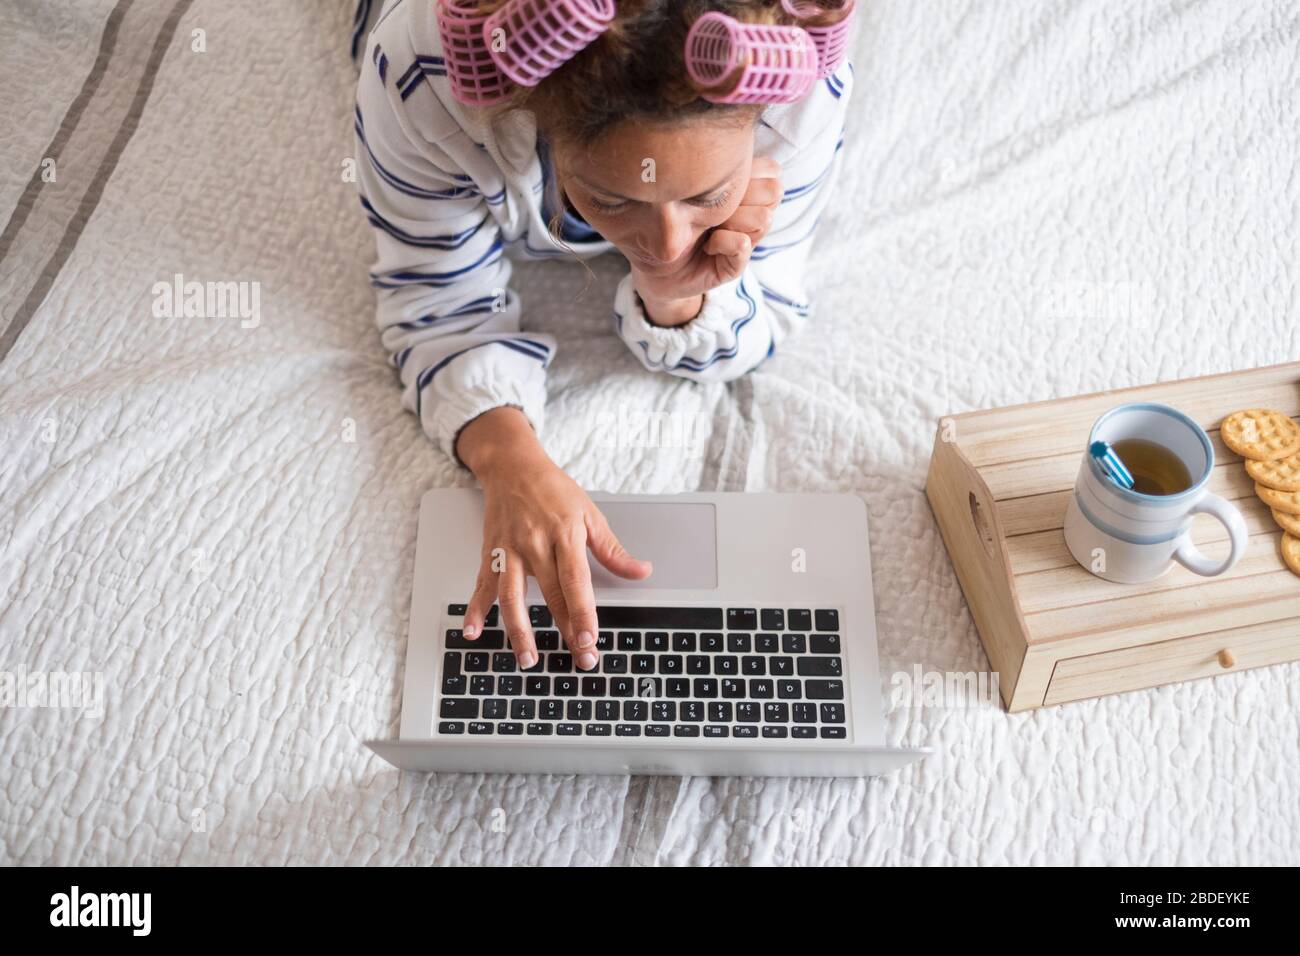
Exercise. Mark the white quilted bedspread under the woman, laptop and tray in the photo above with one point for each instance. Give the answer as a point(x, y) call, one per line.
point(1038, 201)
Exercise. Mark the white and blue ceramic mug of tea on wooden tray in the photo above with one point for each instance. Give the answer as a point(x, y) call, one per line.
point(1128, 537)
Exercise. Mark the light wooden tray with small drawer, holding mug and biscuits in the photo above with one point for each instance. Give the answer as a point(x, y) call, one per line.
point(999, 485)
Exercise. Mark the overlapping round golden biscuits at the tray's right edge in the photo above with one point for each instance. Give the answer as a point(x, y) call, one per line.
point(1269, 442)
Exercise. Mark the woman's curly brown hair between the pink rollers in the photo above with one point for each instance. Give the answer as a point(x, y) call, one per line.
point(636, 70)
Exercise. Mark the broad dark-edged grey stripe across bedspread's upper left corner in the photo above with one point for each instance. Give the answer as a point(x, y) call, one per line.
point(77, 149)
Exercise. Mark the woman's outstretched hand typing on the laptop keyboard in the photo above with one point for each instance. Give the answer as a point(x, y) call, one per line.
point(538, 522)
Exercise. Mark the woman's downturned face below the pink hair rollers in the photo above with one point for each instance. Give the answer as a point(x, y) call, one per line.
point(657, 191)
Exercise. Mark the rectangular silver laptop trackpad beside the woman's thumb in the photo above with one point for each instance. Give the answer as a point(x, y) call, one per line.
point(679, 538)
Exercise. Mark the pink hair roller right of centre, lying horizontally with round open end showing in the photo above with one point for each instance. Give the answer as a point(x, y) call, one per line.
point(751, 63)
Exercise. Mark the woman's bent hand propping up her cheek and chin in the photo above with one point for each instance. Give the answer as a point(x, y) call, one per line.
point(675, 300)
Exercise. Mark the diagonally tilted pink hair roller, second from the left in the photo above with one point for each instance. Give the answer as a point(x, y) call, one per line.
point(539, 37)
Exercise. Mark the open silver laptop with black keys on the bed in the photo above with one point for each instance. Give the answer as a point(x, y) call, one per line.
point(751, 651)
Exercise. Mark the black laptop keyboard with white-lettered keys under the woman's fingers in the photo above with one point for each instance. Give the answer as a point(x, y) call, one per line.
point(748, 673)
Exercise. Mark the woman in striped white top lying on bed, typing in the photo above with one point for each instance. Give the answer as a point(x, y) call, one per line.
point(713, 205)
